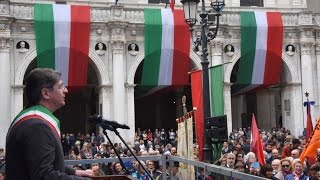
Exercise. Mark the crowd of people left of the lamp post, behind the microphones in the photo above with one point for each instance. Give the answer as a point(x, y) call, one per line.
point(146, 142)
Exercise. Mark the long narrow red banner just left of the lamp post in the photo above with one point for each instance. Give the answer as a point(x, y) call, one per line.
point(197, 101)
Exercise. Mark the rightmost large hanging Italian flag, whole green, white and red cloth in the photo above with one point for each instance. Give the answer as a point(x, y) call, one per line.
point(261, 50)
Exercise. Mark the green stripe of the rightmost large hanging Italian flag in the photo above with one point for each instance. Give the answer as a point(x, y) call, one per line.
point(248, 46)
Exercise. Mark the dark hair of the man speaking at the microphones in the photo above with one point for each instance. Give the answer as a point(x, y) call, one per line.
point(38, 79)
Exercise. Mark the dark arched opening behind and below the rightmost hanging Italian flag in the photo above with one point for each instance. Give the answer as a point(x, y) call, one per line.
point(265, 103)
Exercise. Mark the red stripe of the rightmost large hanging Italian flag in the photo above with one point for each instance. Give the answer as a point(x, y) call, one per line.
point(274, 49)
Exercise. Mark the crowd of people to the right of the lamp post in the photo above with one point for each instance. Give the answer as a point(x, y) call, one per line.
point(281, 152)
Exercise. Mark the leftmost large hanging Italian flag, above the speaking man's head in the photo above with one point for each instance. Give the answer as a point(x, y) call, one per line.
point(62, 40)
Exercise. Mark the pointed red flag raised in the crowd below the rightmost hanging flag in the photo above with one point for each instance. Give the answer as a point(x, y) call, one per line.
point(255, 144)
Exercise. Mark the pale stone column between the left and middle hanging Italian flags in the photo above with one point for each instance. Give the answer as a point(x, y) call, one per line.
point(118, 80)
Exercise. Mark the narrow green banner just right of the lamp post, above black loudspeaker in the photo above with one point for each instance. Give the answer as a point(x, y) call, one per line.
point(216, 90)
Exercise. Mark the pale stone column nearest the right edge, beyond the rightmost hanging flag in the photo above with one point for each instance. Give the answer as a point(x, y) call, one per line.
point(306, 47)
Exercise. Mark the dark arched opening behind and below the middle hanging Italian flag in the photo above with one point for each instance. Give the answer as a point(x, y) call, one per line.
point(160, 109)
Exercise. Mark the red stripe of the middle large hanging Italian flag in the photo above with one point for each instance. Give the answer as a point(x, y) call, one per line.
point(181, 52)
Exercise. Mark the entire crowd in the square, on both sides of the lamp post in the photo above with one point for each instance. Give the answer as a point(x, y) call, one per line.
point(281, 149)
